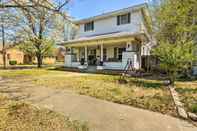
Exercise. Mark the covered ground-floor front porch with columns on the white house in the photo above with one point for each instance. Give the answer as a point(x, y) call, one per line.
point(105, 54)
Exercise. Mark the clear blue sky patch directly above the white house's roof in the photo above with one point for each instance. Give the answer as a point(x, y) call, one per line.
point(85, 8)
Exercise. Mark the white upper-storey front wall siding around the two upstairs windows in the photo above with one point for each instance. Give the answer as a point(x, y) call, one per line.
point(108, 25)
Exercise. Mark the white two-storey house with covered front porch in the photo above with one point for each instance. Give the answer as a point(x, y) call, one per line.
point(109, 40)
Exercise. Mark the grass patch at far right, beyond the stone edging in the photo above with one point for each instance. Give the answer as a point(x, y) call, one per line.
point(188, 94)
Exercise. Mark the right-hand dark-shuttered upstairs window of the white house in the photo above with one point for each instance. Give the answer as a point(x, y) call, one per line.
point(124, 19)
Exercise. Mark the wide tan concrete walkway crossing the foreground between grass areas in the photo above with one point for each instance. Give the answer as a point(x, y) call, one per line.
point(100, 115)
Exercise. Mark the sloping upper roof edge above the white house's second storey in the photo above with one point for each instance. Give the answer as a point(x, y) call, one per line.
point(110, 14)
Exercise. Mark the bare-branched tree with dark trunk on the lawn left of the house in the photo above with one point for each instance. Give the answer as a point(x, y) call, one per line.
point(38, 23)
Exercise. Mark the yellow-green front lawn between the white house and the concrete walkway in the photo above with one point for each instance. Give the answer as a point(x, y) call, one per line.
point(142, 93)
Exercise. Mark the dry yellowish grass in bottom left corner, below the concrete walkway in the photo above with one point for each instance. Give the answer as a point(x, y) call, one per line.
point(15, 116)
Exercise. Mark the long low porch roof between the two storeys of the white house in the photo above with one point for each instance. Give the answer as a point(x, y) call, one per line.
point(105, 38)
